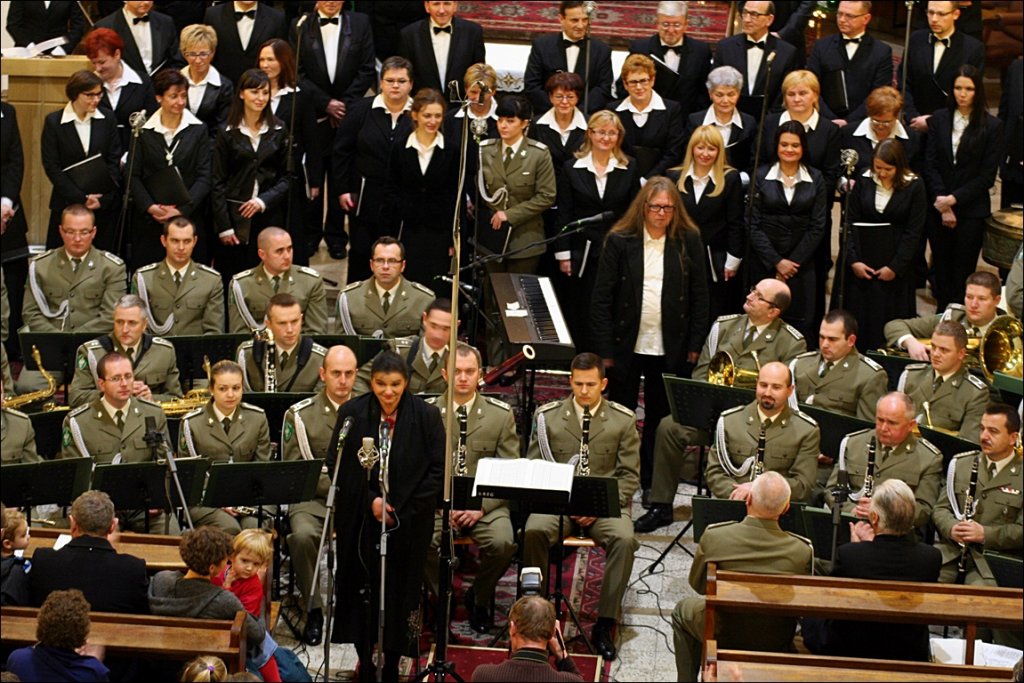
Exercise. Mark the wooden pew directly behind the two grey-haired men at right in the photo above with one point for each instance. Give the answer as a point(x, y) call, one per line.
point(827, 597)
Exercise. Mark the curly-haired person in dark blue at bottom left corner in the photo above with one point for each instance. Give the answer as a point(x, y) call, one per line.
point(63, 653)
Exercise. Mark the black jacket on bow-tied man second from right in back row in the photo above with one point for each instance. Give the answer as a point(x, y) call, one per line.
point(871, 68)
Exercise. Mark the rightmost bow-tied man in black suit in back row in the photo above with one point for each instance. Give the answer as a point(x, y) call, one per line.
point(933, 57)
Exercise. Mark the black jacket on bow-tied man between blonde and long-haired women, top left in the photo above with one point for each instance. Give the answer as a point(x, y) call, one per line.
point(232, 60)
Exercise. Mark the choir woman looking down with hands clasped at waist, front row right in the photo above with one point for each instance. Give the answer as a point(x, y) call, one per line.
point(880, 279)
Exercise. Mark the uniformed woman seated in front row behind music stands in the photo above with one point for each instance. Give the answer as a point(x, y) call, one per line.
point(226, 431)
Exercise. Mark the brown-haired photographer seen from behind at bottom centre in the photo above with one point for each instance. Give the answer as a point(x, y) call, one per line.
point(535, 638)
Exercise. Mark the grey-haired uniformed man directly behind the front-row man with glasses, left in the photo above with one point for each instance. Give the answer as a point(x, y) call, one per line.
point(154, 363)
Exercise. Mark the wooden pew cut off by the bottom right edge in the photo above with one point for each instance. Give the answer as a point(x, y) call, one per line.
point(744, 666)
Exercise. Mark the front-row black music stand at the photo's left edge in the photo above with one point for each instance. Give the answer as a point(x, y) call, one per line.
point(49, 483)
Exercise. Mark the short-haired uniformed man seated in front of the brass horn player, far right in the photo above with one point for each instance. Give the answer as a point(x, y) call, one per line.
point(948, 395)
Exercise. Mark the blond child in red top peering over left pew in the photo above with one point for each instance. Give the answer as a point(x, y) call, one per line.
point(251, 554)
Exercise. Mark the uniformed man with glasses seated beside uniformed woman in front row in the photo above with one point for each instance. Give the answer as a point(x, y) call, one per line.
point(111, 431)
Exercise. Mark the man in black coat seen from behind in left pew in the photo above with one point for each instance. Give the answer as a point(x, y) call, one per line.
point(112, 582)
